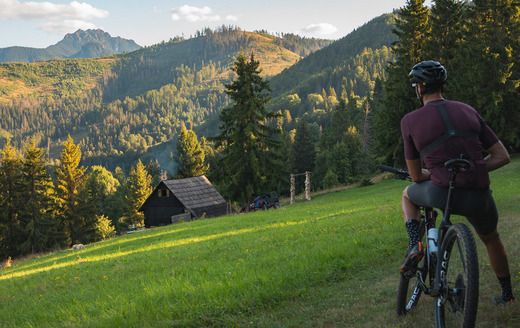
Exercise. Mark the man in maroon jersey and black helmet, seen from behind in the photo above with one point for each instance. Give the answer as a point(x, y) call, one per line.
point(438, 131)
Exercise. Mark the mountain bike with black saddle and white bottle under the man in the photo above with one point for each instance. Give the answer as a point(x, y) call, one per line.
point(449, 269)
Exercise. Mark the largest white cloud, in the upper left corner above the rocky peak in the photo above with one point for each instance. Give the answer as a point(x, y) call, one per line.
point(57, 17)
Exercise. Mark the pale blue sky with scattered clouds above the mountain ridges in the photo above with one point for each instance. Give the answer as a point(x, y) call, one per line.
point(42, 23)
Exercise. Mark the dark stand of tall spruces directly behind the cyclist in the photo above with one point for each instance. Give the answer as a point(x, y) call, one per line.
point(478, 43)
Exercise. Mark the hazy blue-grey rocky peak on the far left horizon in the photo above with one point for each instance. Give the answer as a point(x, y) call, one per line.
point(80, 44)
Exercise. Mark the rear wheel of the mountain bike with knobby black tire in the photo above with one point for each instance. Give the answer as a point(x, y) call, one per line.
point(458, 300)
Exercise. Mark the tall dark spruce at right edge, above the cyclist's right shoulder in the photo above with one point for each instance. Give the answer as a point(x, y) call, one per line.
point(491, 79)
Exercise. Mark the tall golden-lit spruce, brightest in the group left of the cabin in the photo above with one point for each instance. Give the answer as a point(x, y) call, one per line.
point(70, 178)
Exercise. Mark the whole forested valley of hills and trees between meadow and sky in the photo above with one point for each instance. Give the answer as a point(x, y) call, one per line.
point(334, 112)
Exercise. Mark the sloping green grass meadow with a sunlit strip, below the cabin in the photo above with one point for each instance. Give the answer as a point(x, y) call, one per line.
point(331, 262)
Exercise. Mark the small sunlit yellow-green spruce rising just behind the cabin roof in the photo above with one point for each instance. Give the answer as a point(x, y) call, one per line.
point(190, 155)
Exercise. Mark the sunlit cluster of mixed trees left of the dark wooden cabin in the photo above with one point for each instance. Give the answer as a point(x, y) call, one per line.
point(47, 207)
